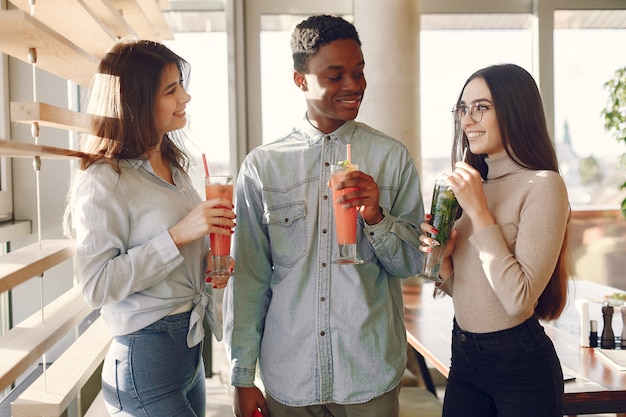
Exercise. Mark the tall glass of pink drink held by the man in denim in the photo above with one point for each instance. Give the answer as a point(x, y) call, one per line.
point(345, 218)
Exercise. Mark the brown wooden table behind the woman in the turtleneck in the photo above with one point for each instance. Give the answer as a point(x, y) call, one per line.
point(598, 387)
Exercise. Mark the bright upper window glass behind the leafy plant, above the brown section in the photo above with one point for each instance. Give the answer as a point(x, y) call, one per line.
point(588, 154)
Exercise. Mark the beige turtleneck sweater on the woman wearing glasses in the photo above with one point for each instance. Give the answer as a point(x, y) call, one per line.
point(500, 271)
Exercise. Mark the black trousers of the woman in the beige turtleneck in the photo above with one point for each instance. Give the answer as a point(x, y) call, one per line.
point(509, 373)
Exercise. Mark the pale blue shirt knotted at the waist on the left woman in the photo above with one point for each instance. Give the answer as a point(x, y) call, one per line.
point(128, 264)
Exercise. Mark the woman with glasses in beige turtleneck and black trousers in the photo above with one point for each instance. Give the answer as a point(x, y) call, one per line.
point(506, 261)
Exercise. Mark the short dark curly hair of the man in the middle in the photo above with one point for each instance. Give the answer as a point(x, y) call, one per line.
point(315, 32)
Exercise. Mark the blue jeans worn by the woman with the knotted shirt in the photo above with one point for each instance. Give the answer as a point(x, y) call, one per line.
point(152, 372)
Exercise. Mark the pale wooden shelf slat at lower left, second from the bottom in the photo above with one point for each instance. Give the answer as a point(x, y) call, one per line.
point(25, 343)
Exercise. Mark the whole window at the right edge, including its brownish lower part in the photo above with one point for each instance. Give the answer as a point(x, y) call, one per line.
point(585, 59)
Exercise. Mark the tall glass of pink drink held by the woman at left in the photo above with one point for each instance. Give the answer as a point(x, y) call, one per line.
point(220, 187)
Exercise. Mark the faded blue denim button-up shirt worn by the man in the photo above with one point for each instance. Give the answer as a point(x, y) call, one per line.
point(322, 332)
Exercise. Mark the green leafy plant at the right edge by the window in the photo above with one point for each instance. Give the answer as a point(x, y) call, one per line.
point(615, 114)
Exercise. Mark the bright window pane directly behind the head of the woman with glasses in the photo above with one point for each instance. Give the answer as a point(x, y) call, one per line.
point(447, 58)
